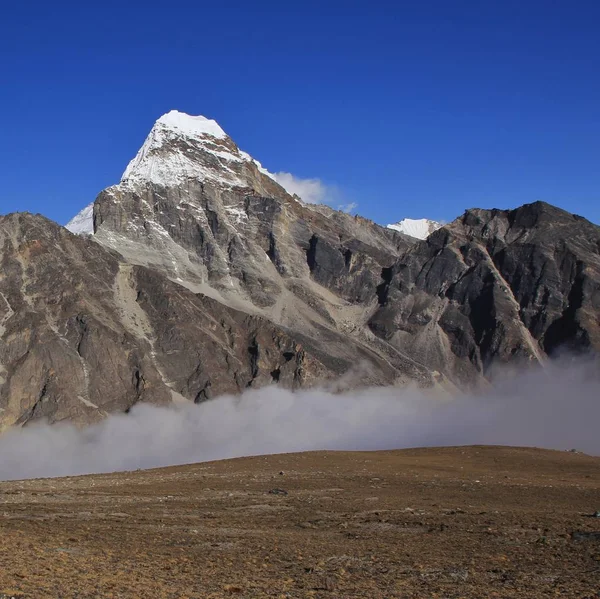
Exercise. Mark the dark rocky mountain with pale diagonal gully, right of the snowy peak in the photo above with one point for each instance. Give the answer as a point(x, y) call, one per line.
point(495, 286)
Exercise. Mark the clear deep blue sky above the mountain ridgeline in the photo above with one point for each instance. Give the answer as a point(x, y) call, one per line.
point(417, 109)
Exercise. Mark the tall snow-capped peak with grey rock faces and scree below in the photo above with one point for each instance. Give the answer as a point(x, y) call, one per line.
point(207, 215)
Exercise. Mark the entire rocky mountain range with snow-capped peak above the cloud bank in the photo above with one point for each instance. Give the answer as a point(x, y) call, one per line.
point(200, 275)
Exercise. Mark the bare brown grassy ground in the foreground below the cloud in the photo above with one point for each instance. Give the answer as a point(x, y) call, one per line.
point(469, 522)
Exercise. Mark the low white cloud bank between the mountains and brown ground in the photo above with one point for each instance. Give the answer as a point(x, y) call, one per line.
point(555, 408)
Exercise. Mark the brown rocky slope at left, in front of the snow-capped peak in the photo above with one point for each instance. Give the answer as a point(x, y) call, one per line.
point(83, 333)
